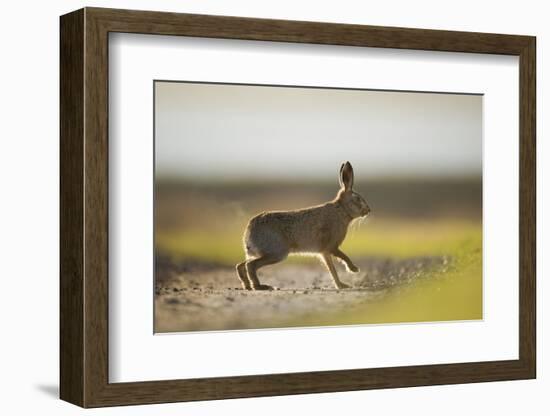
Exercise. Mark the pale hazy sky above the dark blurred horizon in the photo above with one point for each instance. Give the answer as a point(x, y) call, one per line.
point(223, 131)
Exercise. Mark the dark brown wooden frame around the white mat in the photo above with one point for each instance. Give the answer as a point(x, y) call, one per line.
point(84, 207)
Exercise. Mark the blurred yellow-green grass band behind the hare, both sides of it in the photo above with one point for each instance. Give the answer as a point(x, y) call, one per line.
point(398, 239)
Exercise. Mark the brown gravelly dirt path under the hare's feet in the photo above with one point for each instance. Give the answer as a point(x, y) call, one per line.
point(196, 296)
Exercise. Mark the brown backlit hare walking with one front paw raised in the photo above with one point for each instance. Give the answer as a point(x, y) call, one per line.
point(271, 236)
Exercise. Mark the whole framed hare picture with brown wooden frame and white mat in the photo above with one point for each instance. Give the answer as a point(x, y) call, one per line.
point(254, 207)
